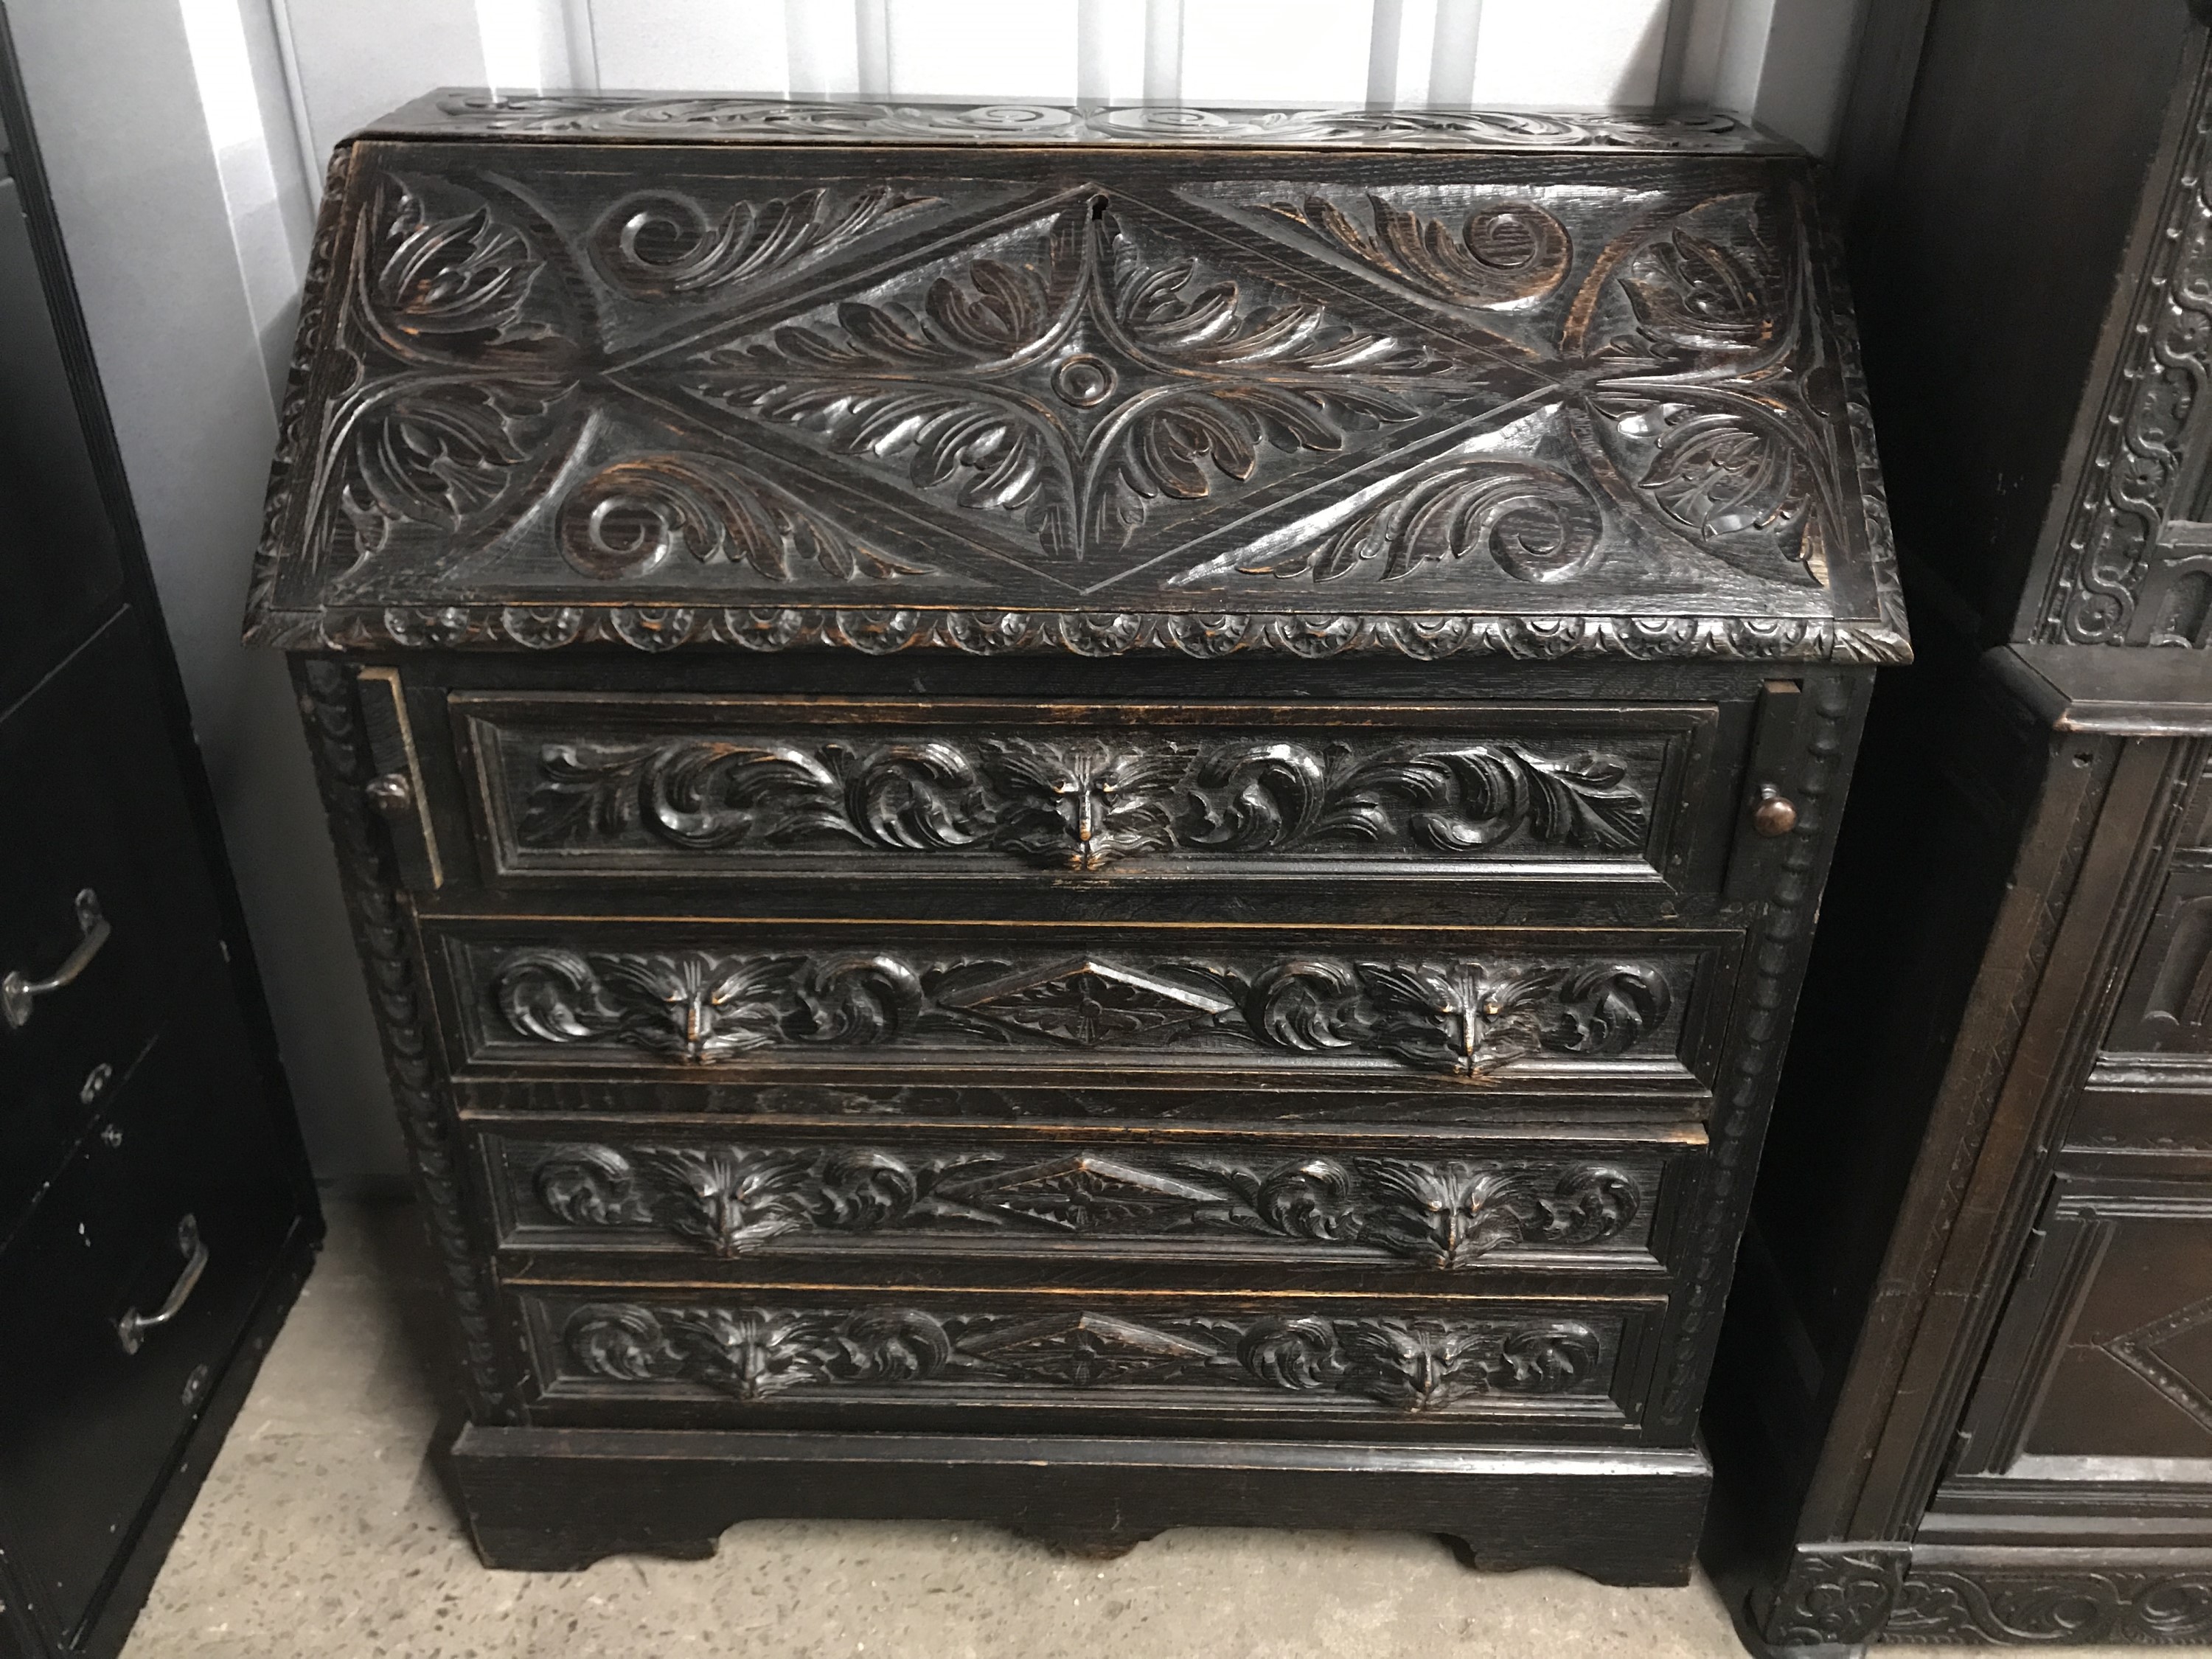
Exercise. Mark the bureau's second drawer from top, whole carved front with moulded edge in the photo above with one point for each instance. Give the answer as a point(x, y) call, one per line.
point(1227, 1008)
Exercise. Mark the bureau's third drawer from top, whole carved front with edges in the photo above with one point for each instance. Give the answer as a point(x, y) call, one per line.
point(904, 1207)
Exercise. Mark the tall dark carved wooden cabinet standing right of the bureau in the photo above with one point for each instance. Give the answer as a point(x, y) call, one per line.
point(1965, 1390)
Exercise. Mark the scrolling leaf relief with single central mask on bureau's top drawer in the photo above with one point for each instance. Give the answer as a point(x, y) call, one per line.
point(1085, 804)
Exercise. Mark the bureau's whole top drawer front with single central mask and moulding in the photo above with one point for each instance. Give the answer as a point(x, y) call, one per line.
point(693, 786)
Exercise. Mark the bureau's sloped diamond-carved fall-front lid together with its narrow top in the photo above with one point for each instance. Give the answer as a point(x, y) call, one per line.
point(749, 375)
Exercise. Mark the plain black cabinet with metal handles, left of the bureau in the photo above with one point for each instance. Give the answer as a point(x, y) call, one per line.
point(156, 1207)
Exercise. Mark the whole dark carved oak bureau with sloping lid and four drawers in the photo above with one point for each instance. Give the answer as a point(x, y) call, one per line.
point(1094, 820)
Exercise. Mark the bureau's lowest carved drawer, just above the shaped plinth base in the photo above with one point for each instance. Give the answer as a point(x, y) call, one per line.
point(1280, 1364)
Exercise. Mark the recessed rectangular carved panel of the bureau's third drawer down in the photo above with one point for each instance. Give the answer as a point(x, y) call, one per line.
point(753, 1196)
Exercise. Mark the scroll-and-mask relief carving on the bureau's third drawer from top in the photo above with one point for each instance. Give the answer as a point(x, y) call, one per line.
point(735, 1200)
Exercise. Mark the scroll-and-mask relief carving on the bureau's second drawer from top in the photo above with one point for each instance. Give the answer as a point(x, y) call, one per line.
point(1461, 1019)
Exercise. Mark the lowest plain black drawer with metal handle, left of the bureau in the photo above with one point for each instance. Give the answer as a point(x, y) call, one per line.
point(180, 1204)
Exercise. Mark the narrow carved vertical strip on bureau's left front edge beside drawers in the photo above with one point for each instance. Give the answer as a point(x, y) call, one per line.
point(401, 1003)
